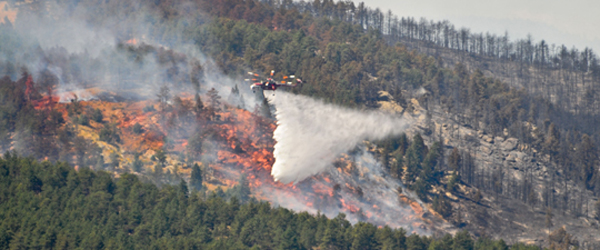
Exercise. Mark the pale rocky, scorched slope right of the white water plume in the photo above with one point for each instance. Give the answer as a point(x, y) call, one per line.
point(505, 171)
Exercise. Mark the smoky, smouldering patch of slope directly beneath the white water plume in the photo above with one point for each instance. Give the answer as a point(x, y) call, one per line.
point(336, 191)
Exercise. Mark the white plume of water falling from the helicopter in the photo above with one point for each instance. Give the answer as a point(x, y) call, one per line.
point(311, 134)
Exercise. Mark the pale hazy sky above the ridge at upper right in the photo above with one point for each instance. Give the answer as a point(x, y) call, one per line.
point(572, 23)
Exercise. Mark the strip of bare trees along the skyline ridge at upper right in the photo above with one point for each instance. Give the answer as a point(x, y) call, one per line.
point(397, 29)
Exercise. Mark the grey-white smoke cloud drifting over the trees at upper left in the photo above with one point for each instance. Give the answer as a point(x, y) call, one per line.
point(82, 48)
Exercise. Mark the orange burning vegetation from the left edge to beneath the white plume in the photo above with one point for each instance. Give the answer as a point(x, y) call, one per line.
point(163, 139)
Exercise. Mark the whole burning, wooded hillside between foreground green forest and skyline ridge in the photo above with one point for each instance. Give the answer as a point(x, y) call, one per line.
point(161, 94)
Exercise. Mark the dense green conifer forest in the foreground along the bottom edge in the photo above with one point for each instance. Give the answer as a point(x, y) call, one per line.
point(49, 206)
